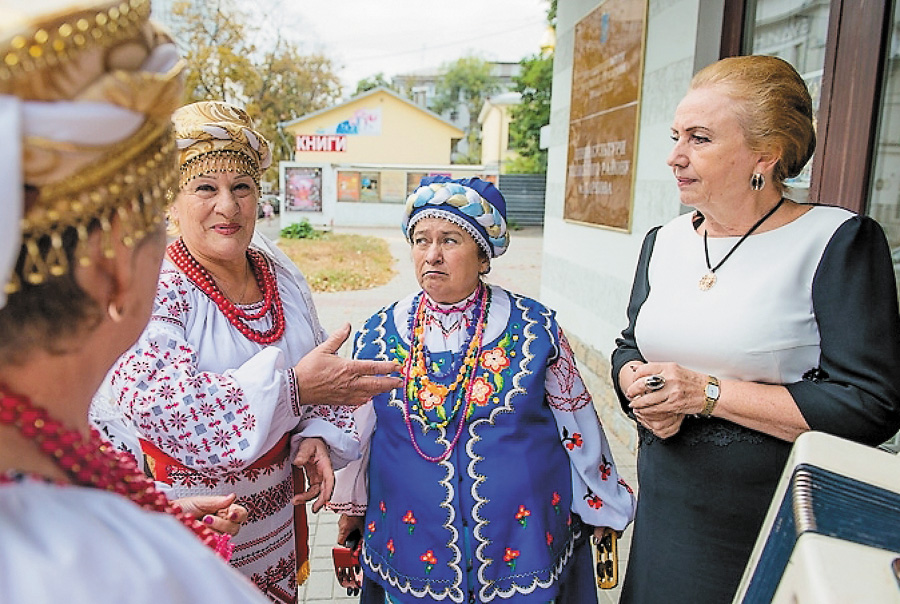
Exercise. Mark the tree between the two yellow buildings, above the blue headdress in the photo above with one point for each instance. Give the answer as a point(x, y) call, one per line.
point(467, 82)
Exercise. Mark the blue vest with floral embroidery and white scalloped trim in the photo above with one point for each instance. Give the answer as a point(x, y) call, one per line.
point(493, 518)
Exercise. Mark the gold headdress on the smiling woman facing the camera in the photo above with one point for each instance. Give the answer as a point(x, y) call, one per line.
point(214, 136)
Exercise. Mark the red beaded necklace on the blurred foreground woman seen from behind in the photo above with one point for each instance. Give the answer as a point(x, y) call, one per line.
point(92, 462)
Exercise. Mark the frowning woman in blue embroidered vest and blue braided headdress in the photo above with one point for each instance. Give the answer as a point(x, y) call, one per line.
point(483, 475)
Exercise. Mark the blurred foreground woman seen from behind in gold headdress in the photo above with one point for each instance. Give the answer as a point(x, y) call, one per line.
point(86, 161)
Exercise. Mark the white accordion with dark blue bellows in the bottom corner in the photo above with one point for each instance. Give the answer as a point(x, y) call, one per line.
point(832, 533)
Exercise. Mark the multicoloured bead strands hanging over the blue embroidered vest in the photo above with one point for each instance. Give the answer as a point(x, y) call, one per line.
point(417, 373)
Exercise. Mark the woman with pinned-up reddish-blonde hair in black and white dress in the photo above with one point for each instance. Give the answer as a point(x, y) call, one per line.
point(751, 320)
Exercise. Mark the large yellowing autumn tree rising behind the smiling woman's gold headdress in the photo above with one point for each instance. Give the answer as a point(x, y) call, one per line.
point(273, 83)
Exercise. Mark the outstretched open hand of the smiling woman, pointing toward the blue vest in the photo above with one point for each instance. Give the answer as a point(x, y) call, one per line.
point(327, 379)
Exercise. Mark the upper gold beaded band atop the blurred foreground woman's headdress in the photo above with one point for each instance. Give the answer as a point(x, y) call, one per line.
point(50, 45)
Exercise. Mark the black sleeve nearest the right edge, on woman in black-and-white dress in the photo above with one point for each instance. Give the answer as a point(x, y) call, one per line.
point(855, 391)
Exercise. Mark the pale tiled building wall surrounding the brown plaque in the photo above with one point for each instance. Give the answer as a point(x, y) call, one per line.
point(588, 271)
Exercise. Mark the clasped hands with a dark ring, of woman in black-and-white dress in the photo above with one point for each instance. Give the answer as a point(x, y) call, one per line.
point(663, 409)
